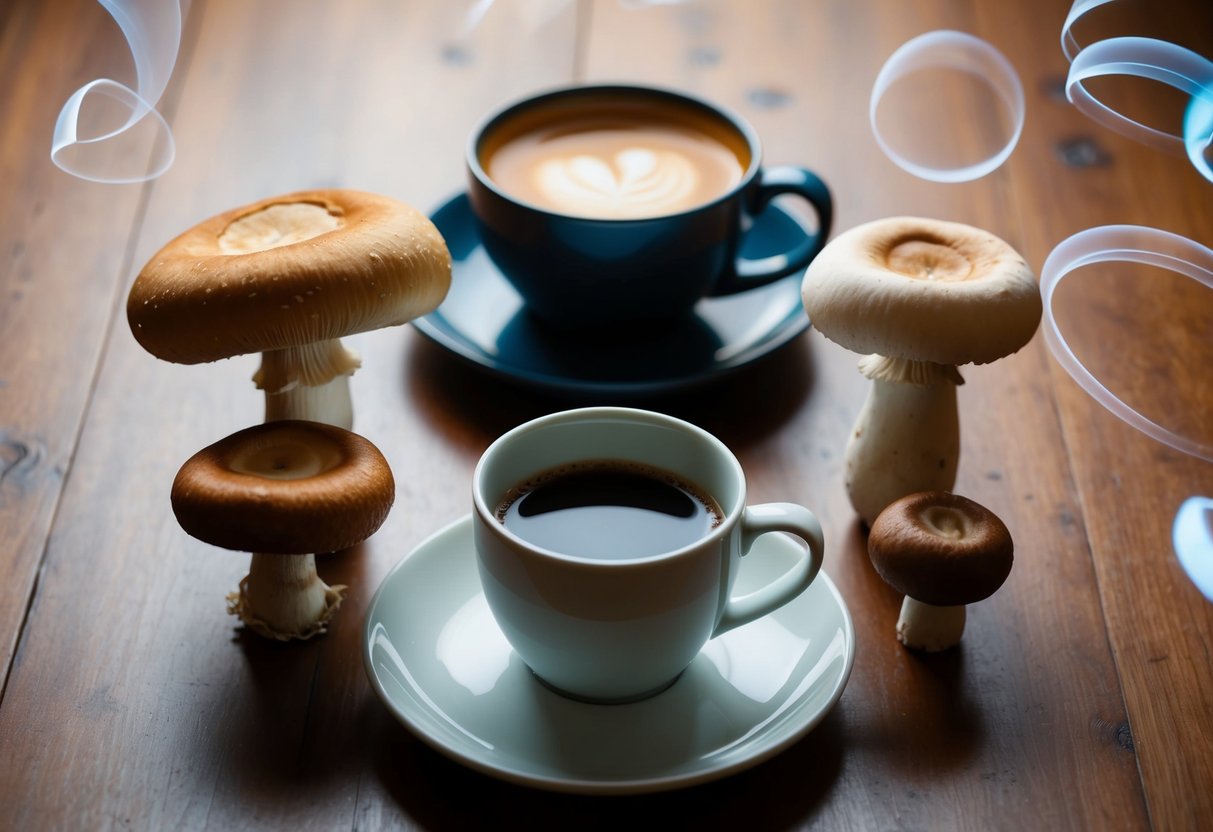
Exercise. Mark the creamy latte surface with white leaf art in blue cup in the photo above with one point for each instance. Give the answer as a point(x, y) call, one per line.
point(617, 169)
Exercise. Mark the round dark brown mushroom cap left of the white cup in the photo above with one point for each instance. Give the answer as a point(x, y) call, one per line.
point(284, 488)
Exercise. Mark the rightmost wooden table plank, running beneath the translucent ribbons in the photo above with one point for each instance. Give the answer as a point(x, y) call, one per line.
point(1160, 628)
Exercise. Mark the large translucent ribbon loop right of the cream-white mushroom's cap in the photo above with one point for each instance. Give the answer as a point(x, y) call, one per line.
point(1130, 244)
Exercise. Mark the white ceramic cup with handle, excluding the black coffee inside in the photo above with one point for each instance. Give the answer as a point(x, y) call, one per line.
point(623, 630)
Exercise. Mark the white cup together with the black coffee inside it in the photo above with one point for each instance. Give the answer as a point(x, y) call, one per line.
point(616, 626)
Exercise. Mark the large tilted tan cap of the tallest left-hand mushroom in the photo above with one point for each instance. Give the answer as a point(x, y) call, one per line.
point(286, 272)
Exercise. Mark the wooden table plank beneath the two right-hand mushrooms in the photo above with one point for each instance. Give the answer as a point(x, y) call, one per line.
point(929, 743)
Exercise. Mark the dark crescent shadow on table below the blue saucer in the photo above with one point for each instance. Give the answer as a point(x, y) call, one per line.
point(741, 408)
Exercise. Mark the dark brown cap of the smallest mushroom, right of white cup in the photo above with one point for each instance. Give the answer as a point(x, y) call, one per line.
point(941, 549)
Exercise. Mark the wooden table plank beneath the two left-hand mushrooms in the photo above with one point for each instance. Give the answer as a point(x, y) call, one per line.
point(134, 700)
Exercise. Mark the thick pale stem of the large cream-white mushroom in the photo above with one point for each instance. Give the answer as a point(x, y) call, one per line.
point(908, 436)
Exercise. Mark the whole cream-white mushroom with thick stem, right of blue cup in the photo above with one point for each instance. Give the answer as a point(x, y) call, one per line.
point(918, 298)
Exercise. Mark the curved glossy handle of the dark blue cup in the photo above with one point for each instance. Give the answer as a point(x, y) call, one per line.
point(751, 273)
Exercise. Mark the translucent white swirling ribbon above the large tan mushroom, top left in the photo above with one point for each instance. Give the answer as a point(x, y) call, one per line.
point(109, 133)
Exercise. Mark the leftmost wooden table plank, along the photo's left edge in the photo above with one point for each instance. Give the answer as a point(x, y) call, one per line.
point(64, 244)
